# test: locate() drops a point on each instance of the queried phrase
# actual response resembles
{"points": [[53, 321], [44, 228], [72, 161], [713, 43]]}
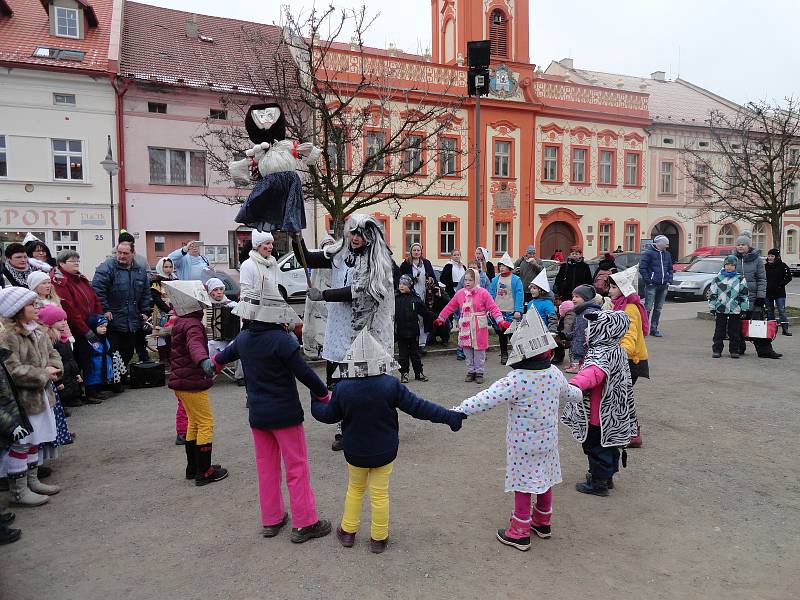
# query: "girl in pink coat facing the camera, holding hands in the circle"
{"points": [[475, 304]]}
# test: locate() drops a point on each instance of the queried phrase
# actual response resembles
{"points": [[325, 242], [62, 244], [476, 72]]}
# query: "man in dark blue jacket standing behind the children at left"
{"points": [[123, 289]]}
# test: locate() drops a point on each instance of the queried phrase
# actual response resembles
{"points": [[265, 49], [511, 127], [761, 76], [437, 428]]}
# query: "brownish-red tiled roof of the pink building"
{"points": [[158, 45]]}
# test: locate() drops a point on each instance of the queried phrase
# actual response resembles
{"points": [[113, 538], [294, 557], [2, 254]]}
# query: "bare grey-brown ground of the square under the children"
{"points": [[708, 508]]}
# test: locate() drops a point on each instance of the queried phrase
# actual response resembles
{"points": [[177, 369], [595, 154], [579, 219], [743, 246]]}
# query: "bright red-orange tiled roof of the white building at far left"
{"points": [[29, 27]]}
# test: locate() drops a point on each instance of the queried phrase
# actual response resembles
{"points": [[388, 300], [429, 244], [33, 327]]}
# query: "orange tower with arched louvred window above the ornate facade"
{"points": [[456, 22]]}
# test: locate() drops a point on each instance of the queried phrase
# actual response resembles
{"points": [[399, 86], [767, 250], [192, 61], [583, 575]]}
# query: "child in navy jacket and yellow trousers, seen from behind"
{"points": [[366, 402]]}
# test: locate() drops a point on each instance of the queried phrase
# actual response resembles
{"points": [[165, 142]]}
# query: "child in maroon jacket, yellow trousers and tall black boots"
{"points": [[191, 376]]}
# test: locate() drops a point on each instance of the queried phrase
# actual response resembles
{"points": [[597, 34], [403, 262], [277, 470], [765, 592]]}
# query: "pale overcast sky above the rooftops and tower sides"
{"points": [[739, 49]]}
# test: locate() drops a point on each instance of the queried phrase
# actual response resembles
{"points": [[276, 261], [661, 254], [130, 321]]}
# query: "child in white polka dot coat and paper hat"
{"points": [[532, 391]]}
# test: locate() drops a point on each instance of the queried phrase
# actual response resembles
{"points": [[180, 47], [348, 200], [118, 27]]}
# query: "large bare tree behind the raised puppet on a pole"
{"points": [[388, 127]]}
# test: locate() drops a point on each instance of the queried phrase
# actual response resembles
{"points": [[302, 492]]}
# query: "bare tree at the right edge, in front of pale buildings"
{"points": [[751, 170]]}
